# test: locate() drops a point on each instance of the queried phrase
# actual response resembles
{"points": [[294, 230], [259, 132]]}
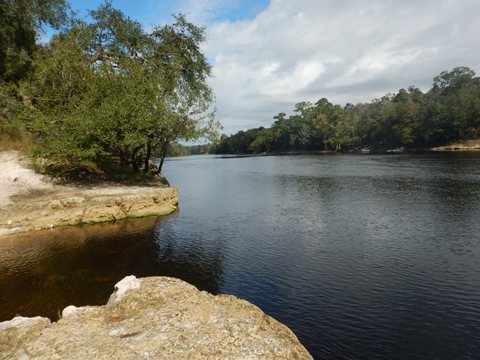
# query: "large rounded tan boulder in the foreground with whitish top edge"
{"points": [[153, 318]]}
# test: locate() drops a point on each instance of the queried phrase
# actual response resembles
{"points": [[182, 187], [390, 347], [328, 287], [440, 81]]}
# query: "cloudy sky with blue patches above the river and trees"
{"points": [[269, 55]]}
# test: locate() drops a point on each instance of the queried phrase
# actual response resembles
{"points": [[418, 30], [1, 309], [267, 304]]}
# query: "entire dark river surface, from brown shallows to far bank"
{"points": [[362, 256]]}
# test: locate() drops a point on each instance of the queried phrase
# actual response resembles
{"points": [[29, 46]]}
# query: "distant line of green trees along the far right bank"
{"points": [[448, 112]]}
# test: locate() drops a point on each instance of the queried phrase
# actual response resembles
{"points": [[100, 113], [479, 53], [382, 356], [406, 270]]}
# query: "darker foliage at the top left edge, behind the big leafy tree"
{"points": [[21, 22]]}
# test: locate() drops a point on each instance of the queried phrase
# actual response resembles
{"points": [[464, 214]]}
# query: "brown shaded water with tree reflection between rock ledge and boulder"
{"points": [[43, 272]]}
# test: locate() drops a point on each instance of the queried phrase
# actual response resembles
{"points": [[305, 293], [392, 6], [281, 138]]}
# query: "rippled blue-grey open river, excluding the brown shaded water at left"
{"points": [[362, 256]]}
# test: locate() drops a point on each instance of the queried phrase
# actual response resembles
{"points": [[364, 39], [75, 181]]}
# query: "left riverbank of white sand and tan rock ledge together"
{"points": [[30, 201]]}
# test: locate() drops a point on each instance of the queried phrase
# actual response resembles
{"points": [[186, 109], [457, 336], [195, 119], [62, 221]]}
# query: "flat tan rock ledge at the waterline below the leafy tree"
{"points": [[86, 206]]}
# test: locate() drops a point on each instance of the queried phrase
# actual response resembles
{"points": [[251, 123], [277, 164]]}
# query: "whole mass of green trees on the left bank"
{"points": [[103, 90]]}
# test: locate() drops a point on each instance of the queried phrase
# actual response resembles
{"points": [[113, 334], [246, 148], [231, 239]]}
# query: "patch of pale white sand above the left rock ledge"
{"points": [[16, 178]]}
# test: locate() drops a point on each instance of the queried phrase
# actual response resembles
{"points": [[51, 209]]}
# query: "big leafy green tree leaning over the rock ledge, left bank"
{"points": [[108, 91]]}
